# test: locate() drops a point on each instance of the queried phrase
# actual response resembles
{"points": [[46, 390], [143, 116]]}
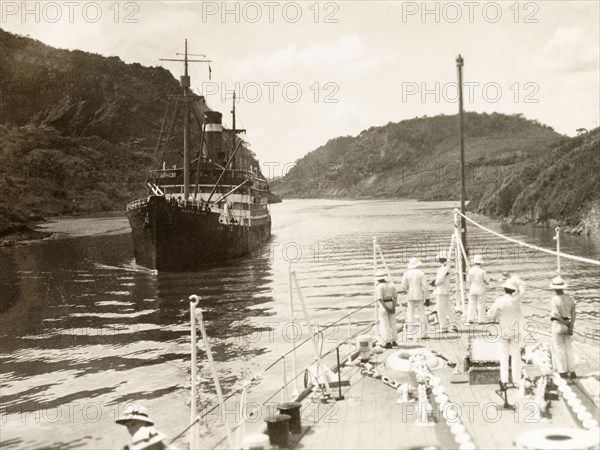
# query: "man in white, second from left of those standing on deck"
{"points": [[415, 284]]}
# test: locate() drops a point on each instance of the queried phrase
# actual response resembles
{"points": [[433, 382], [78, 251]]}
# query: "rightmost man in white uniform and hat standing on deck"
{"points": [[562, 315]]}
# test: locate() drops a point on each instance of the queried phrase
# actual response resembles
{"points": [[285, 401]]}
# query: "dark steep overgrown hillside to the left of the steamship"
{"points": [[77, 130]]}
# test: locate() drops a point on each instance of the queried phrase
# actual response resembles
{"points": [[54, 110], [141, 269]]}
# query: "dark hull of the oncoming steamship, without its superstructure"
{"points": [[170, 237]]}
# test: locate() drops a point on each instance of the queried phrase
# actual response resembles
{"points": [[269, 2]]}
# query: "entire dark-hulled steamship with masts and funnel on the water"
{"points": [[210, 208]]}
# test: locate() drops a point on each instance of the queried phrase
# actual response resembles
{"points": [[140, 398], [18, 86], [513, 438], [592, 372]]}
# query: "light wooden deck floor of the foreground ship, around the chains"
{"points": [[370, 417]]}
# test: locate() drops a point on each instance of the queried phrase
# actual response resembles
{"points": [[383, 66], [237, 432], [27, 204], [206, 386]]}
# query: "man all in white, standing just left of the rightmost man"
{"points": [[507, 311]]}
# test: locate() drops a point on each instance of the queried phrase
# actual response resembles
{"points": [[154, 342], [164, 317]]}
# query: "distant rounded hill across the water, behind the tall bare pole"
{"points": [[419, 158]]}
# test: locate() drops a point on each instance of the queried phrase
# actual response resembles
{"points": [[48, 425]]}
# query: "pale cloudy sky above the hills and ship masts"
{"points": [[307, 72]]}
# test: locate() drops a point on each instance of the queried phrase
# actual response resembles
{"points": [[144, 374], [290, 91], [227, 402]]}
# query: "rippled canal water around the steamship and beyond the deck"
{"points": [[84, 331]]}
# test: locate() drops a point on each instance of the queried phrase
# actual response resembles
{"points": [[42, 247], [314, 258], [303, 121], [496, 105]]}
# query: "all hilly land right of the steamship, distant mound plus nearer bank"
{"points": [[515, 168]]}
